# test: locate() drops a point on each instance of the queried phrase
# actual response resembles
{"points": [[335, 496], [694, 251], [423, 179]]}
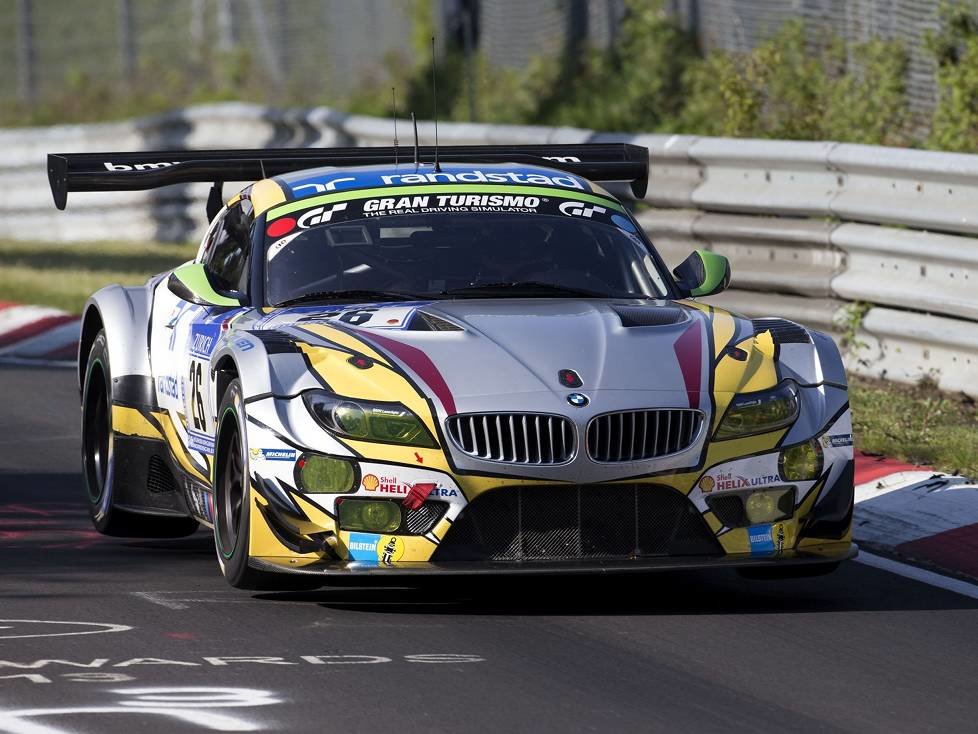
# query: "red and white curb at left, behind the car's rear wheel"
{"points": [[37, 334]]}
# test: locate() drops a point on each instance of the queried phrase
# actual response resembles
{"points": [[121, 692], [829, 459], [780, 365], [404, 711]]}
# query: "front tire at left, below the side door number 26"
{"points": [[232, 505]]}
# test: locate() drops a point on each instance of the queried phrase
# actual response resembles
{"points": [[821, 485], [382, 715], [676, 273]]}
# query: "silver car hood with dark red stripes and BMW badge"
{"points": [[487, 354]]}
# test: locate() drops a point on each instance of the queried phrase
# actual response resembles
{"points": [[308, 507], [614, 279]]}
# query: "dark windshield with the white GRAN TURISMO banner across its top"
{"points": [[382, 249]]}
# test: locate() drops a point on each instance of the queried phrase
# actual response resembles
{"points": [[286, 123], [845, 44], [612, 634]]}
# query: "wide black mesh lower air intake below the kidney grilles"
{"points": [[577, 522]]}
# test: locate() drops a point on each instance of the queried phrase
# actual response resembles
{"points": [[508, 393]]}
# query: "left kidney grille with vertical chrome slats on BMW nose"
{"points": [[516, 438]]}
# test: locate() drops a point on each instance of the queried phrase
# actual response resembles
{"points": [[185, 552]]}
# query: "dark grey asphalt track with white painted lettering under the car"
{"points": [[170, 647]]}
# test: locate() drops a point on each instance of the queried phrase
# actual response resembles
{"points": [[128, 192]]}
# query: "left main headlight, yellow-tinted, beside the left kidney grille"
{"points": [[368, 421]]}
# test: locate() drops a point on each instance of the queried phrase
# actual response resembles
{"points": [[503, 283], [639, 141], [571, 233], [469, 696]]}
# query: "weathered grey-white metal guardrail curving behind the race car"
{"points": [[811, 228]]}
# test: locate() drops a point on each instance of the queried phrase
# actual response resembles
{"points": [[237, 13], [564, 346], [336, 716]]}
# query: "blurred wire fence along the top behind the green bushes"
{"points": [[318, 51]]}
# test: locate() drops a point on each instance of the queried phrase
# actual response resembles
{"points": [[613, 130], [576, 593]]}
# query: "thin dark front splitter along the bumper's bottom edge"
{"points": [[828, 553]]}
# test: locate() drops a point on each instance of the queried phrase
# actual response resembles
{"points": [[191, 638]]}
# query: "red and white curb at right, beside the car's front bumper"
{"points": [[916, 514]]}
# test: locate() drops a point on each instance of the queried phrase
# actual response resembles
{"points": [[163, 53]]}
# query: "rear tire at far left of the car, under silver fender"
{"points": [[99, 456]]}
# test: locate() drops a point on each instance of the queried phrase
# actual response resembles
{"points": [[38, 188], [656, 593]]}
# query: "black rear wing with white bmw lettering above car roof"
{"points": [[605, 162]]}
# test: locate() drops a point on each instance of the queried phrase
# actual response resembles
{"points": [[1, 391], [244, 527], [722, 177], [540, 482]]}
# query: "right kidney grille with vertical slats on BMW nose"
{"points": [[637, 435]]}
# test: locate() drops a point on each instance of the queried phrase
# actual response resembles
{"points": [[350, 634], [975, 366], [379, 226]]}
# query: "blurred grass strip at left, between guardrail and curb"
{"points": [[64, 276]]}
